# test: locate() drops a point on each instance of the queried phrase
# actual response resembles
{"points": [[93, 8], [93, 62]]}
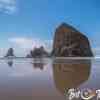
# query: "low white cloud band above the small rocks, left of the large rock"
{"points": [[29, 43]]}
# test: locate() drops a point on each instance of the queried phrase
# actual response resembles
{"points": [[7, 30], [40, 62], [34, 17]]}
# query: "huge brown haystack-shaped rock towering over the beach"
{"points": [[68, 42]]}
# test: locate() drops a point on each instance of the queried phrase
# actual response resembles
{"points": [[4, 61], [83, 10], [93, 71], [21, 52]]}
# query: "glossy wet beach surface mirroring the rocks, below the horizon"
{"points": [[46, 79]]}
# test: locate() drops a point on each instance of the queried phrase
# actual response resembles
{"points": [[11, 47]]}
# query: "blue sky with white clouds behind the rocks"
{"points": [[25, 24]]}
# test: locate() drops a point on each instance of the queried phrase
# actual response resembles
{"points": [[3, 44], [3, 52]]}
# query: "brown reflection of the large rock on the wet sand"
{"points": [[70, 75]]}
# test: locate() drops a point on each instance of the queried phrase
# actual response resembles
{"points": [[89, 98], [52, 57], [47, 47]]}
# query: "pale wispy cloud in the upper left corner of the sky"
{"points": [[8, 6]]}
